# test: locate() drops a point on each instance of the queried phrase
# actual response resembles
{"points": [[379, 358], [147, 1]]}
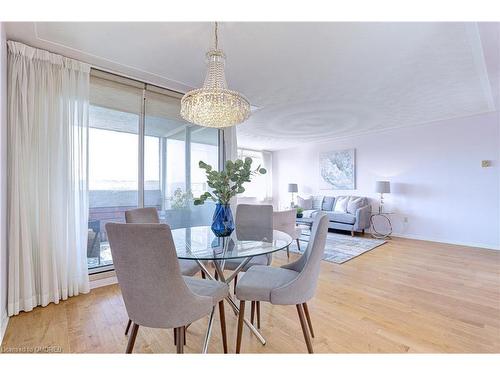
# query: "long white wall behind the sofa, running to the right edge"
{"points": [[435, 171]]}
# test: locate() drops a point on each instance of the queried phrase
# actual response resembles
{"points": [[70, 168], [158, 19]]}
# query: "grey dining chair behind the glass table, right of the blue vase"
{"points": [[254, 221]]}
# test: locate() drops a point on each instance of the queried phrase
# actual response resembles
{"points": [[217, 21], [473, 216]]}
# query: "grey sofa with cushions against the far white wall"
{"points": [[356, 219]]}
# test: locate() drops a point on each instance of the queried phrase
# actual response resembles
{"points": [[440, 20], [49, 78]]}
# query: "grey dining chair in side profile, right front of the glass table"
{"points": [[292, 284]]}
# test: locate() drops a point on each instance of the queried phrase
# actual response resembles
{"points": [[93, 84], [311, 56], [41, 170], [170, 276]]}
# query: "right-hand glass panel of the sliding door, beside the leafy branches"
{"points": [[172, 151]]}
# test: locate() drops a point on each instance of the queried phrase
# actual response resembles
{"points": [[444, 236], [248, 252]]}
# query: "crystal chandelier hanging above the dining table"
{"points": [[215, 106]]}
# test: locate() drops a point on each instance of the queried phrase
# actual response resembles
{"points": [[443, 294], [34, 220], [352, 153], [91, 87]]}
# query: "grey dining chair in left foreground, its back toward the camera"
{"points": [[155, 293]]}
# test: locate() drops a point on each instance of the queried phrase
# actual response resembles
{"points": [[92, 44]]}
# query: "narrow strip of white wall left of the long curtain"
{"points": [[3, 181]]}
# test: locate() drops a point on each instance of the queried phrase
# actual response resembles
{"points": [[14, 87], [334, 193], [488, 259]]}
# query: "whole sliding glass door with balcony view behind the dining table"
{"points": [[142, 154]]}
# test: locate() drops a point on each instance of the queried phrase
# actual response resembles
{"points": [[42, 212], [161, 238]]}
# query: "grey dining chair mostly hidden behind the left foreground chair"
{"points": [[149, 215]]}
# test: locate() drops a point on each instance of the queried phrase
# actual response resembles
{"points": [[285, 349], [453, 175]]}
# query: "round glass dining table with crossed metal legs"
{"points": [[202, 246]]}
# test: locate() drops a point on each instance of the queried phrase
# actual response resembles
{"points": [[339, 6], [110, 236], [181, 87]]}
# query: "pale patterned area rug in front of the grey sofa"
{"points": [[341, 248]]}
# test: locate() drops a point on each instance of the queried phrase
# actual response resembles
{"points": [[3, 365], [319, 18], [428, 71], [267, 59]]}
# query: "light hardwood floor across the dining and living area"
{"points": [[405, 296]]}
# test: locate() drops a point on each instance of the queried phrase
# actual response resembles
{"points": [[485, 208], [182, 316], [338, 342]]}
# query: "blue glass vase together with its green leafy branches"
{"points": [[225, 185]]}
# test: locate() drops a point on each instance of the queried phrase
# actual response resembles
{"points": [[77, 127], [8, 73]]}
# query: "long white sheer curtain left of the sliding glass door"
{"points": [[47, 177]]}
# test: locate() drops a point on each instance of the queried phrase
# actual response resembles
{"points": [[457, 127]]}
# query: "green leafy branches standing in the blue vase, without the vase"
{"points": [[229, 182]]}
